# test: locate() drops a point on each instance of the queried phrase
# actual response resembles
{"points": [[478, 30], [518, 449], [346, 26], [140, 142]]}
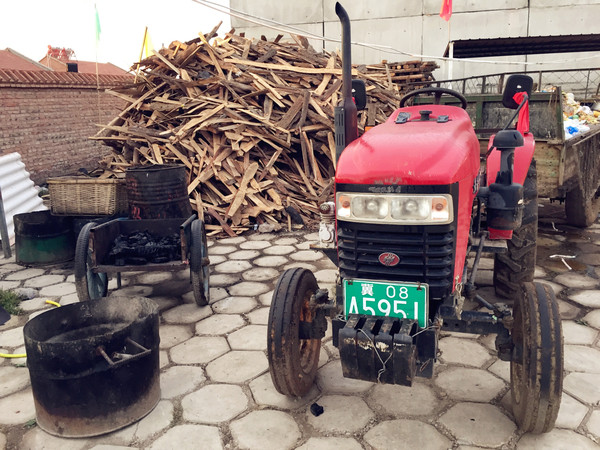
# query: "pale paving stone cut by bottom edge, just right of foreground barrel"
{"points": [[189, 436]]}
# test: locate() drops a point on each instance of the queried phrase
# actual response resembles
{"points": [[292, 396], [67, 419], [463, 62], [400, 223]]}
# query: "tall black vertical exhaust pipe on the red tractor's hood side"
{"points": [[346, 120]]}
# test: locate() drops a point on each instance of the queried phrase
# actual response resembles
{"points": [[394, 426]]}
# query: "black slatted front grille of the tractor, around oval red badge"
{"points": [[426, 254]]}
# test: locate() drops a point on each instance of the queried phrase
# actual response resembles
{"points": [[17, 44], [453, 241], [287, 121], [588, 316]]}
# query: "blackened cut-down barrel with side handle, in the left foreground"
{"points": [[94, 366]]}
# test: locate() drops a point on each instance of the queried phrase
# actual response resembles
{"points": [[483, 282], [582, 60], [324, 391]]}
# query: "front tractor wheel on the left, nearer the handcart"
{"points": [[292, 361]]}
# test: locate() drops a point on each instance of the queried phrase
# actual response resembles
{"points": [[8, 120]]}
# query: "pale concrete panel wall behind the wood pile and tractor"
{"points": [[415, 27]]}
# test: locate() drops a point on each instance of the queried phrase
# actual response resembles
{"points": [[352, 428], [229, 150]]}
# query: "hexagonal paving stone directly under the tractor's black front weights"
{"points": [[418, 399]]}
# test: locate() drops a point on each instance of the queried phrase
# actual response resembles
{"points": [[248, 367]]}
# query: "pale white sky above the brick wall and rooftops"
{"points": [[29, 26]]}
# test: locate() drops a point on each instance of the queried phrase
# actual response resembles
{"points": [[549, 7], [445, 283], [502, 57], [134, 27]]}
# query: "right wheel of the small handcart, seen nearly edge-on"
{"points": [[199, 272]]}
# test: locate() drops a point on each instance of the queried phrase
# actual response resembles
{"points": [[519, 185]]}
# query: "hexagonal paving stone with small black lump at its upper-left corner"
{"points": [[335, 417]]}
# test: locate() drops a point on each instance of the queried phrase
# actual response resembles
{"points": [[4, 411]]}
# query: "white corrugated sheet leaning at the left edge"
{"points": [[18, 192]]}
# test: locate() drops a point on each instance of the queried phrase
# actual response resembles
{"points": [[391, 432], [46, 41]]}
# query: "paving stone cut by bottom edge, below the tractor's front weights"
{"points": [[397, 434]]}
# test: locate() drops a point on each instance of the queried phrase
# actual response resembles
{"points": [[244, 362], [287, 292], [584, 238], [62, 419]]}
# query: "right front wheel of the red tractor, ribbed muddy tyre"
{"points": [[536, 368]]}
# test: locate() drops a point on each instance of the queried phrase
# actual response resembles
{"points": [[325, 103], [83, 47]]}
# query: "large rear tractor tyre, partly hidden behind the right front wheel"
{"points": [[517, 265]]}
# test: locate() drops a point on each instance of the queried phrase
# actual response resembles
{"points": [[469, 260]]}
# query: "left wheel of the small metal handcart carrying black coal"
{"points": [[89, 285]]}
